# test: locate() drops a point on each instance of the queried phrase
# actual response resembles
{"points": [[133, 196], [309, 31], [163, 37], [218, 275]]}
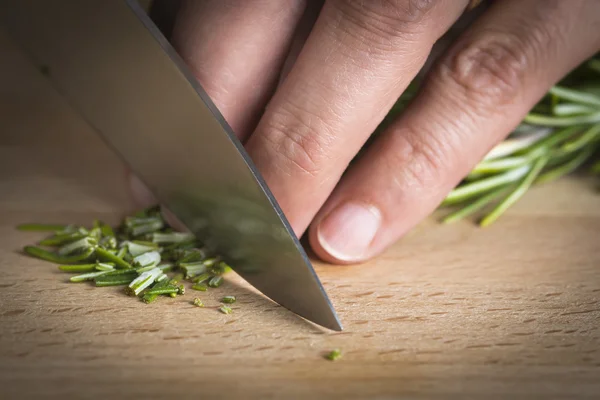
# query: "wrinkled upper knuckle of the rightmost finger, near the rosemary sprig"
{"points": [[490, 70]]}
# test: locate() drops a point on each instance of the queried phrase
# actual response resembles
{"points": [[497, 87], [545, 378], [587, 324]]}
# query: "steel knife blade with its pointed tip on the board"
{"points": [[114, 67]]}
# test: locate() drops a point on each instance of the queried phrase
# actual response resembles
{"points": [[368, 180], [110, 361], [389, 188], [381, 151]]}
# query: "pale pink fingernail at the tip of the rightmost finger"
{"points": [[347, 232]]}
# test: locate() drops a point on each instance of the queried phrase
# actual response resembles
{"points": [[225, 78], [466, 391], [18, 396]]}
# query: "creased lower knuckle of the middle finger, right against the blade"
{"points": [[298, 139]]}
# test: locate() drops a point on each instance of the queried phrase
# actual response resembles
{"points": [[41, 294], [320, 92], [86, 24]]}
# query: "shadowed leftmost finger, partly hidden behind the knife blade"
{"points": [[236, 50]]}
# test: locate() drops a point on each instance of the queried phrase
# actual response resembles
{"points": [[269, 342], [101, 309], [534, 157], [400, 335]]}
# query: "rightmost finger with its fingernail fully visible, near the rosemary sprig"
{"points": [[479, 92]]}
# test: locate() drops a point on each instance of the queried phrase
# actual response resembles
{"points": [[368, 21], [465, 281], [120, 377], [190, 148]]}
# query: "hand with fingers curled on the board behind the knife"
{"points": [[304, 96]]}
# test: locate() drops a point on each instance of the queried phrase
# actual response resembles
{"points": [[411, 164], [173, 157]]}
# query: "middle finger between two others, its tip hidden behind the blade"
{"points": [[357, 60]]}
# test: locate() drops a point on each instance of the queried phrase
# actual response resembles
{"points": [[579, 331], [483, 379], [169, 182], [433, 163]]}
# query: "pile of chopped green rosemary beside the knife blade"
{"points": [[143, 254]]}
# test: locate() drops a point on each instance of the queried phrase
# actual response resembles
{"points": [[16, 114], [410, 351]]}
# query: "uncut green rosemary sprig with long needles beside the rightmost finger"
{"points": [[560, 135]]}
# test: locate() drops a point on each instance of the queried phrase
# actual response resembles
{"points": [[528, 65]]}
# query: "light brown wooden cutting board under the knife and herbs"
{"points": [[511, 311]]}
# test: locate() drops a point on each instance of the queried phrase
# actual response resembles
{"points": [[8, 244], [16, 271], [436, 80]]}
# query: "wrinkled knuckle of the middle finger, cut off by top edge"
{"points": [[385, 20]]}
